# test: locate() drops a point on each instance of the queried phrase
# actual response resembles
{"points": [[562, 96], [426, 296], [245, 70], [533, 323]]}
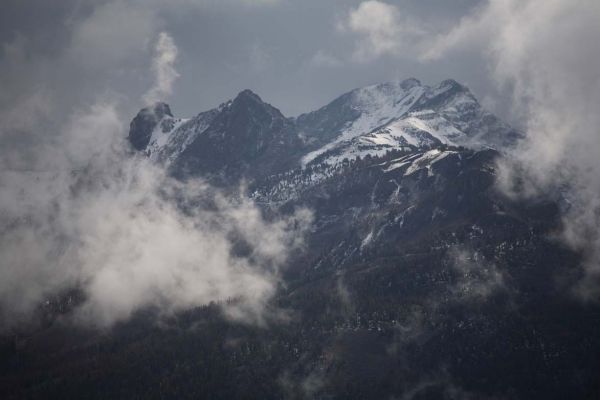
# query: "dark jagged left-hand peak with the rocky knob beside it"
{"points": [[240, 136]]}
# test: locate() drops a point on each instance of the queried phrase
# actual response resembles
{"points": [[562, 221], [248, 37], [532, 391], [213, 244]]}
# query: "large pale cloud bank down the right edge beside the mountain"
{"points": [[548, 55]]}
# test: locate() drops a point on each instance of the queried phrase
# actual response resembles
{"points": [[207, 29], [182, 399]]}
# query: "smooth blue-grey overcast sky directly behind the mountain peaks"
{"points": [[295, 54]]}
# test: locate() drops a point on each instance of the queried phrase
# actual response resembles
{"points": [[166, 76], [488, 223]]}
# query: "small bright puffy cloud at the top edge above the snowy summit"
{"points": [[381, 30]]}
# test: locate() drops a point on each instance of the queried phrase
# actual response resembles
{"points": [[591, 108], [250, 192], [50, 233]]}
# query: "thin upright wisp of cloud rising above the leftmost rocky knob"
{"points": [[163, 66]]}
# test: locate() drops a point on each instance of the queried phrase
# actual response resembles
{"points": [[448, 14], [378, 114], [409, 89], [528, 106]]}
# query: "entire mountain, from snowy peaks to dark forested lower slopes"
{"points": [[419, 279]]}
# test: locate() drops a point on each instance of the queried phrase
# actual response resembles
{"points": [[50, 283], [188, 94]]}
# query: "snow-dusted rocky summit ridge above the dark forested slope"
{"points": [[370, 121]]}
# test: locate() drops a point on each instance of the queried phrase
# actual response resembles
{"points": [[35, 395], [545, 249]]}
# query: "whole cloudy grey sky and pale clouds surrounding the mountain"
{"points": [[73, 73]]}
